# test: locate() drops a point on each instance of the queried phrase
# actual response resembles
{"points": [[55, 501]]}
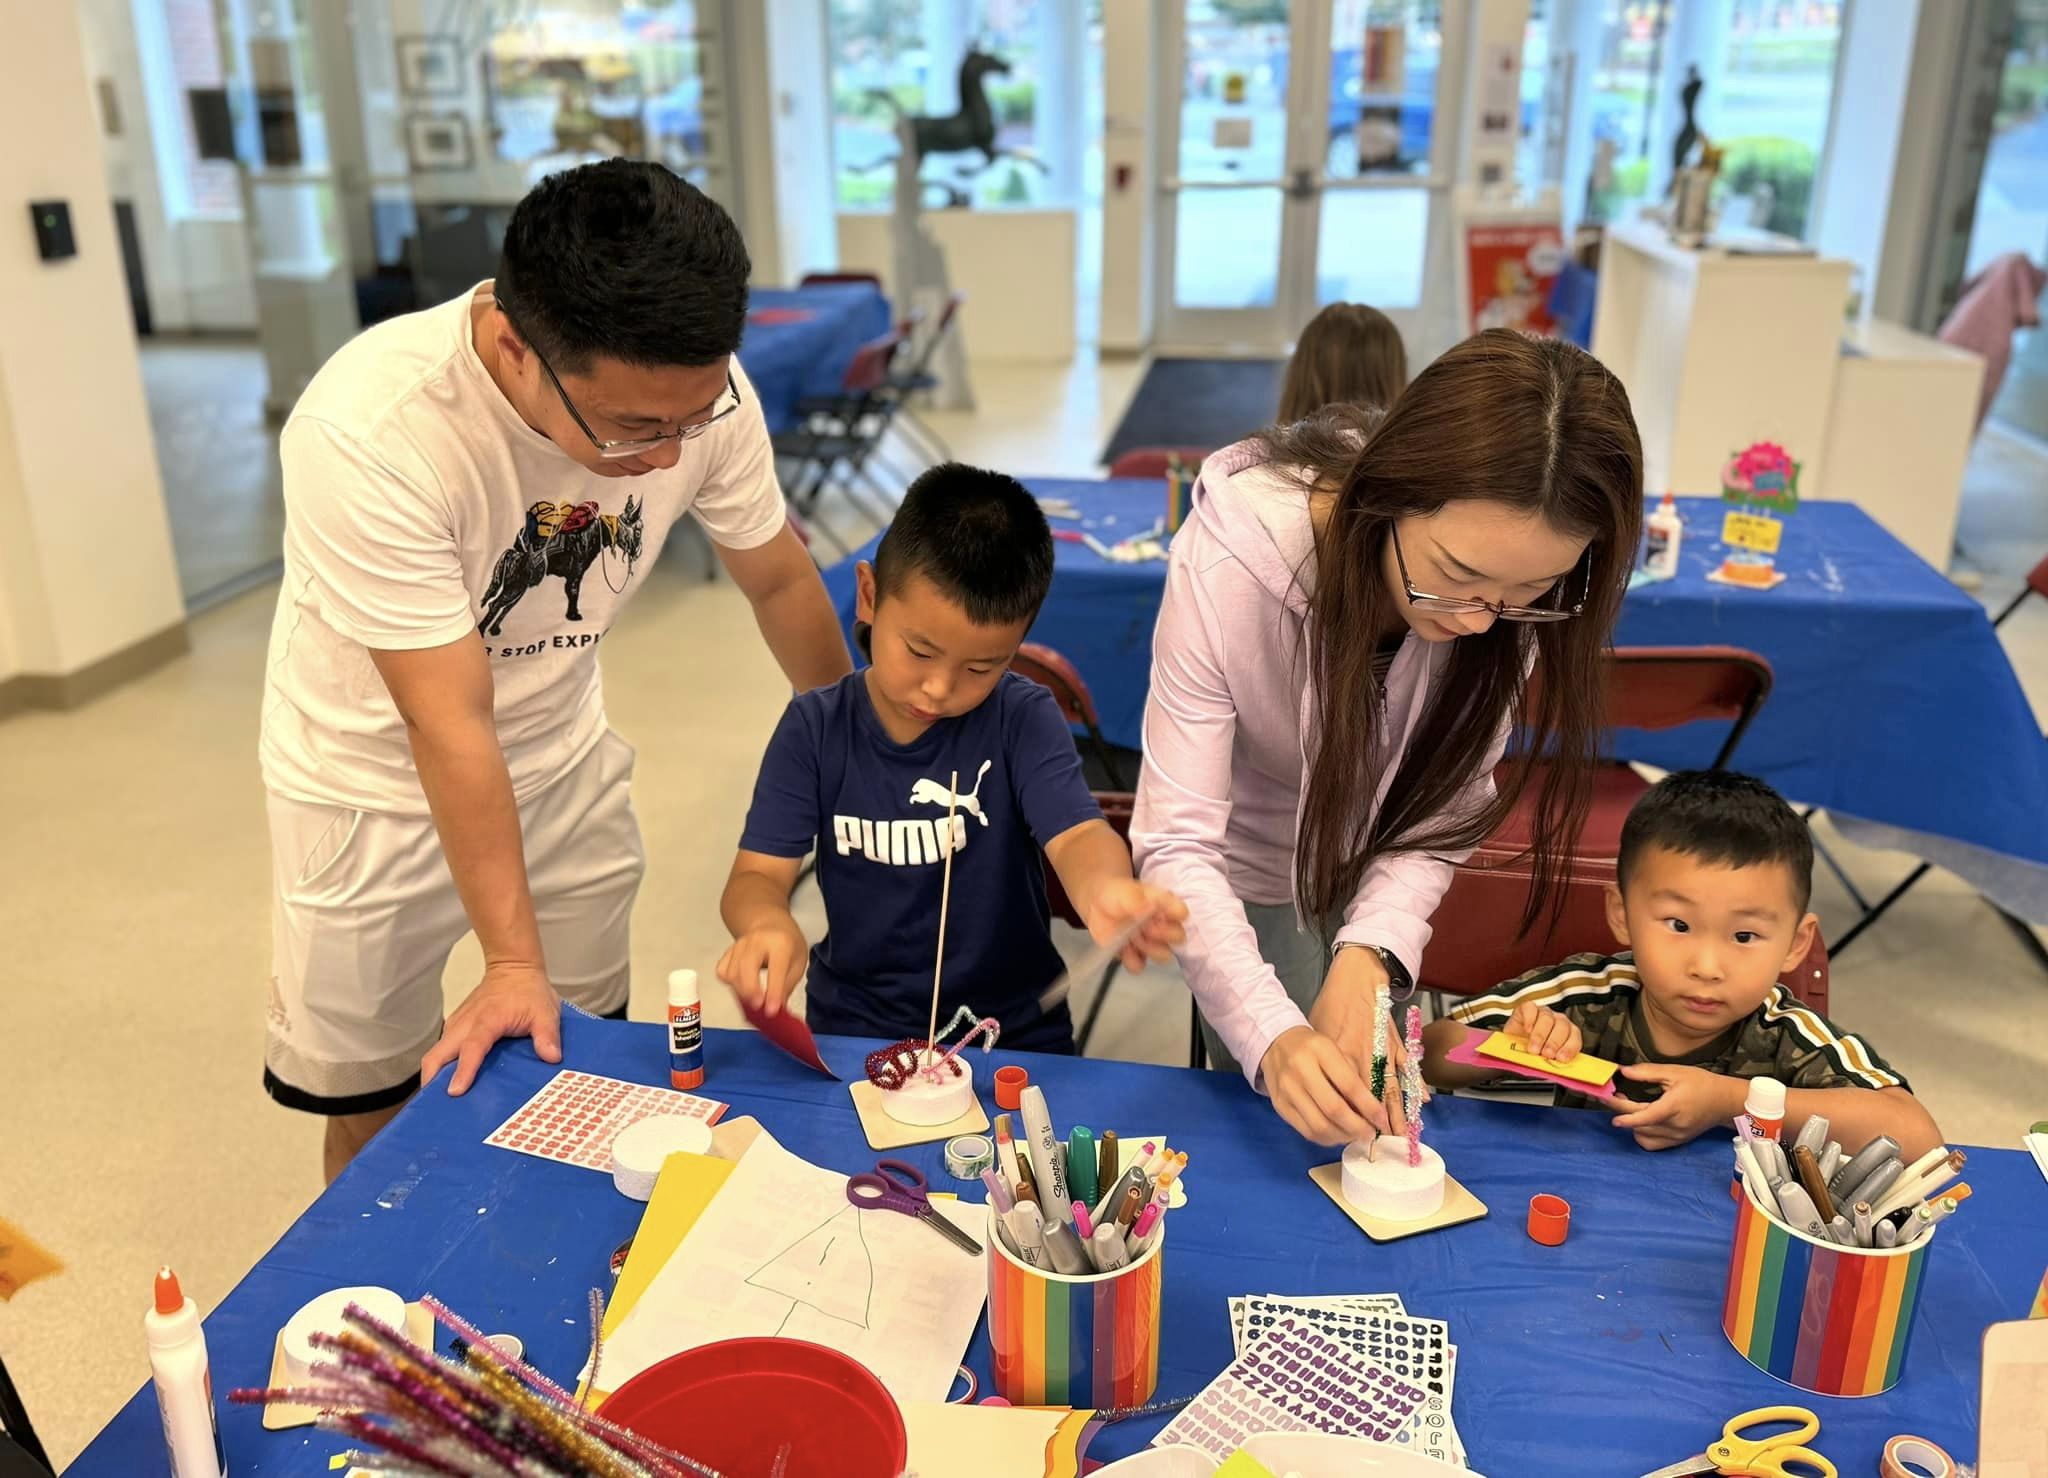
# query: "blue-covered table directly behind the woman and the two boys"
{"points": [[1895, 707]]}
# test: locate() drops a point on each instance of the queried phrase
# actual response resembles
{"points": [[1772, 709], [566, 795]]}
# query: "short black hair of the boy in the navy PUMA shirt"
{"points": [[980, 537]]}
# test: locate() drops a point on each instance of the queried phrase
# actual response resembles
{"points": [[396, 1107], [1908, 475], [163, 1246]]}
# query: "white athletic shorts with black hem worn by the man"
{"points": [[366, 916]]}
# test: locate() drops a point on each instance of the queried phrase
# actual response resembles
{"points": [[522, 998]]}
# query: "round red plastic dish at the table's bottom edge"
{"points": [[740, 1403]]}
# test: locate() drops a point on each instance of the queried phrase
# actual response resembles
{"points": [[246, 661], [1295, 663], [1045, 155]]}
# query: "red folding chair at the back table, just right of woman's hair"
{"points": [[1652, 689]]}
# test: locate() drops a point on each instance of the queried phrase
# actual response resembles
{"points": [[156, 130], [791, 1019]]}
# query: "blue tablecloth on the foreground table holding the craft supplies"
{"points": [[1627, 1309]]}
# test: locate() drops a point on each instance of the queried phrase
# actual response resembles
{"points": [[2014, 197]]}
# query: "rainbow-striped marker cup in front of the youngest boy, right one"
{"points": [[1824, 1317]]}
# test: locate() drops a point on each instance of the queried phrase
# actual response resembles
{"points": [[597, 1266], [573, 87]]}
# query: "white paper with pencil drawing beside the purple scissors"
{"points": [[781, 1252]]}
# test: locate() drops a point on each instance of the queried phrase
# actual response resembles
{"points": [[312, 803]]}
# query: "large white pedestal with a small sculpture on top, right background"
{"points": [[1719, 351]]}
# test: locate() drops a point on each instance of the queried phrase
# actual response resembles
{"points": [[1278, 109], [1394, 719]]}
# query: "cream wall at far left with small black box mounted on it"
{"points": [[85, 564]]}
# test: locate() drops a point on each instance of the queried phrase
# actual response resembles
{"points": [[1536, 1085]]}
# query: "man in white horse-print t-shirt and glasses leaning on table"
{"points": [[472, 496]]}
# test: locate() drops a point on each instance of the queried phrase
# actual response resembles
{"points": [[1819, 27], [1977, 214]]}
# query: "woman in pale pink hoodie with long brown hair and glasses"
{"points": [[1351, 615]]}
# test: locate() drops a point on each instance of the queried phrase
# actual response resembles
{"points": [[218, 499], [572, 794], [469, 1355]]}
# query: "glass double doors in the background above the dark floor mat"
{"points": [[1310, 148]]}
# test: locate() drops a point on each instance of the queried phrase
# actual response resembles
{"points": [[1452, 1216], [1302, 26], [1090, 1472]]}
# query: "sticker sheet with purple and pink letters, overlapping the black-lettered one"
{"points": [[1295, 1381]]}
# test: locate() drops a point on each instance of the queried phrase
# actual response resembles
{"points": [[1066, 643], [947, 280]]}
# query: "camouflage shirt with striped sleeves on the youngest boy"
{"points": [[1603, 996]]}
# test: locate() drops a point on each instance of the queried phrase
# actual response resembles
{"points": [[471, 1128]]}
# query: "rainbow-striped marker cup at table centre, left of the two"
{"points": [[1074, 1340]]}
